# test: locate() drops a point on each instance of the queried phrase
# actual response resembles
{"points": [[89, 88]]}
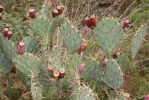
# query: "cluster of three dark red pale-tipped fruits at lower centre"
{"points": [[57, 74]]}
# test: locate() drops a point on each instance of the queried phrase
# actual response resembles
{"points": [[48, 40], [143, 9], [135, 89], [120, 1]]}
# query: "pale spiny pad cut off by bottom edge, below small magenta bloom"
{"points": [[83, 93]]}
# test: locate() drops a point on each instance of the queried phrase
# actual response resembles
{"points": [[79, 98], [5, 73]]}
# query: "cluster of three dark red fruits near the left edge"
{"points": [[6, 31]]}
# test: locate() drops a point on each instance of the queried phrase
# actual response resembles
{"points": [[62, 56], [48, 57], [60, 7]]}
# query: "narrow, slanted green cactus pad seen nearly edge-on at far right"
{"points": [[138, 39]]}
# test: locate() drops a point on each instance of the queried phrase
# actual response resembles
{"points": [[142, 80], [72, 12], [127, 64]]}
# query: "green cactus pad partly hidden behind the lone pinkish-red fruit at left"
{"points": [[32, 44]]}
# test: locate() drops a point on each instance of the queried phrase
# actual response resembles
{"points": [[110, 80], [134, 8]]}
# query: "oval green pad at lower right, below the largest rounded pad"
{"points": [[113, 75]]}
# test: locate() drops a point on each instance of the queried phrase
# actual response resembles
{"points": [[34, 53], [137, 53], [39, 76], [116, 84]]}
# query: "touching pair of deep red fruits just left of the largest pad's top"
{"points": [[90, 21]]}
